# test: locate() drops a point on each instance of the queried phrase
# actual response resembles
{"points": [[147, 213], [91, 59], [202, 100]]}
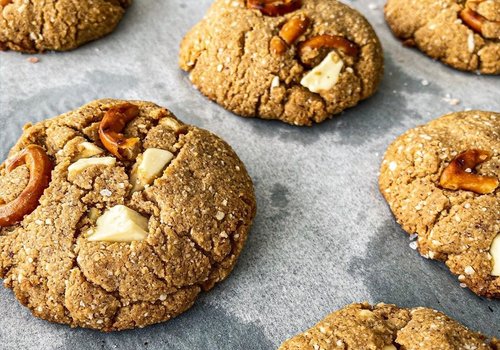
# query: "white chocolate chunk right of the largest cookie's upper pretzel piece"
{"points": [[149, 166]]}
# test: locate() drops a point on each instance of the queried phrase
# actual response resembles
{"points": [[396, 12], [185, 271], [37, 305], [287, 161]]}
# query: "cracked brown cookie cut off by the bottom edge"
{"points": [[387, 327]]}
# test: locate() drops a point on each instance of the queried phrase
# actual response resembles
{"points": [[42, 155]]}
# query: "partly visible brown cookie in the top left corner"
{"points": [[61, 25]]}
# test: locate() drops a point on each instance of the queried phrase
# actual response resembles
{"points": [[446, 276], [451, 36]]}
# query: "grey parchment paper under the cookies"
{"points": [[323, 236]]}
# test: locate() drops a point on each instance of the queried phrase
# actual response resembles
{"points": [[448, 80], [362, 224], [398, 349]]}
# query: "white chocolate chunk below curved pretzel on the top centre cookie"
{"points": [[325, 75]]}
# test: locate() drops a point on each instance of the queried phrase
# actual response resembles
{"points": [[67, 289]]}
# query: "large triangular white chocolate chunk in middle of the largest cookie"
{"points": [[120, 224]]}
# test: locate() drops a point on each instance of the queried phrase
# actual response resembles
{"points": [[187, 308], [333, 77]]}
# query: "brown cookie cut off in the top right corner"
{"points": [[464, 34]]}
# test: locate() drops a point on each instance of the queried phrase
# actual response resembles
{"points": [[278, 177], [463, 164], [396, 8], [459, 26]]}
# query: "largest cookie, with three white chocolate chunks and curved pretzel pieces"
{"points": [[117, 215]]}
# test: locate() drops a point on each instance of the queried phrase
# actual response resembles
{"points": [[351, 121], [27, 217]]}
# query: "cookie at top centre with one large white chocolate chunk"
{"points": [[299, 61]]}
